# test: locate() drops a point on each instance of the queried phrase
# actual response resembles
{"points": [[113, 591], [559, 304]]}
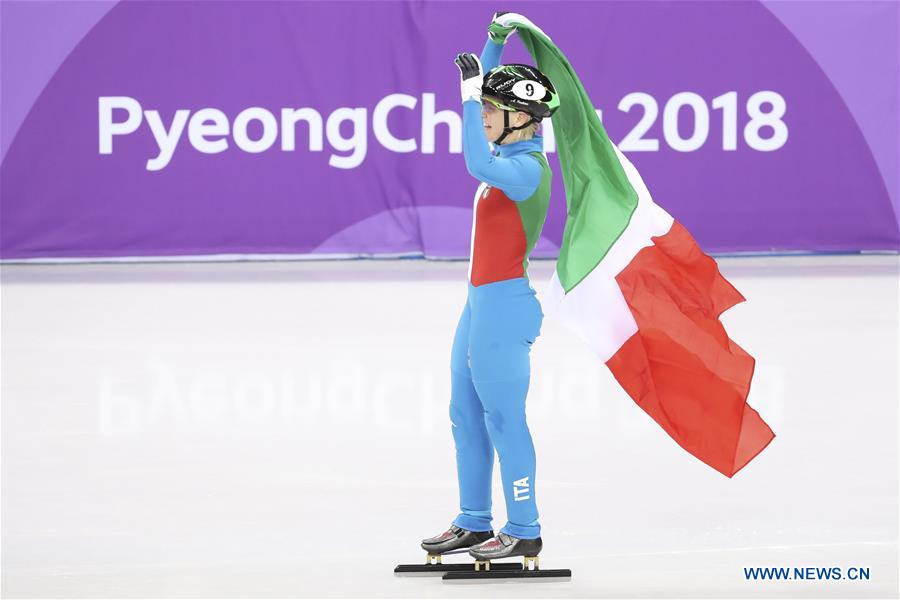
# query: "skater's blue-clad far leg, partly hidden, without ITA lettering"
{"points": [[474, 453]]}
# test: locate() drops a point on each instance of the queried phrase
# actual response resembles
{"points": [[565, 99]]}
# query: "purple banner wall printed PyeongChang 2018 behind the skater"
{"points": [[137, 129]]}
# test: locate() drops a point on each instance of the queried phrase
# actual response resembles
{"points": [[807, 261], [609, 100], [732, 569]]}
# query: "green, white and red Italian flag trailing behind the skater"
{"points": [[634, 284]]}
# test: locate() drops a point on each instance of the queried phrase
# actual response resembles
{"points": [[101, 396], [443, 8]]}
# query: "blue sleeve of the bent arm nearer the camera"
{"points": [[518, 176]]}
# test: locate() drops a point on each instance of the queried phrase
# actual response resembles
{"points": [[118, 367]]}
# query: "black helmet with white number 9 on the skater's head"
{"points": [[522, 87]]}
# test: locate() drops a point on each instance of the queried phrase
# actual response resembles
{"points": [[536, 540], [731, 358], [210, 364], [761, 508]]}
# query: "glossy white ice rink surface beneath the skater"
{"points": [[281, 430]]}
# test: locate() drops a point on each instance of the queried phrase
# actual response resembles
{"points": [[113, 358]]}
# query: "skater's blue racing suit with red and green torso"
{"points": [[490, 358]]}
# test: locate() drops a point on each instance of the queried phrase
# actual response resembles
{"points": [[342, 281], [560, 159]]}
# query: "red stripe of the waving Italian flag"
{"points": [[681, 367]]}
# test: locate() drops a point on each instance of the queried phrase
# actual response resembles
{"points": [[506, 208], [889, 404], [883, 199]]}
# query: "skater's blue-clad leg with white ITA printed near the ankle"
{"points": [[506, 321]]}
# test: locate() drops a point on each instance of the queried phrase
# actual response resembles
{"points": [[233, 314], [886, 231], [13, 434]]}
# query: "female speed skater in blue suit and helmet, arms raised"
{"points": [[489, 364]]}
